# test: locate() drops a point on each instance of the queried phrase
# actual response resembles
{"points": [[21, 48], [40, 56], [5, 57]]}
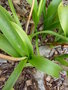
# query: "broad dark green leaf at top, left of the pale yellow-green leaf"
{"points": [[51, 20]]}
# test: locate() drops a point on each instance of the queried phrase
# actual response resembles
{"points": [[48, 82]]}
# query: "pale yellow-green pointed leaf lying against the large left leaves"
{"points": [[24, 38]]}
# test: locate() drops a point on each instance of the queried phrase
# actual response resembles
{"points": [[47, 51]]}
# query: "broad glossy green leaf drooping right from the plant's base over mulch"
{"points": [[45, 65]]}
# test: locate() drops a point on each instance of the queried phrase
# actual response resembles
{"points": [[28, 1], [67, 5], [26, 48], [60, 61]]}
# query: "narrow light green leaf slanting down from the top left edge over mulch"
{"points": [[13, 12]]}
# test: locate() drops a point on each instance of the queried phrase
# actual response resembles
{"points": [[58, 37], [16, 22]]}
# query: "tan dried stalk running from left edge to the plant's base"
{"points": [[9, 58]]}
